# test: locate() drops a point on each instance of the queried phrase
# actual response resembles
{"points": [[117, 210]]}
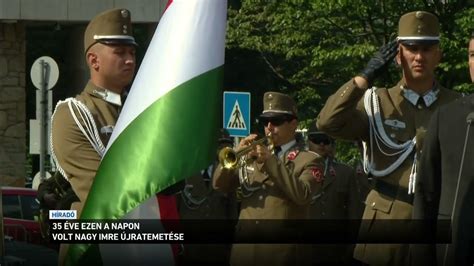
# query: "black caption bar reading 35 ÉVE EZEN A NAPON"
{"points": [[249, 231]]}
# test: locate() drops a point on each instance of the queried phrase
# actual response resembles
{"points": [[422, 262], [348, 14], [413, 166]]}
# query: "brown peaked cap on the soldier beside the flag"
{"points": [[109, 27]]}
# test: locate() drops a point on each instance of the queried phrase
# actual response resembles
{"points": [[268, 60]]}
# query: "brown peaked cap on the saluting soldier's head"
{"points": [[418, 27]]}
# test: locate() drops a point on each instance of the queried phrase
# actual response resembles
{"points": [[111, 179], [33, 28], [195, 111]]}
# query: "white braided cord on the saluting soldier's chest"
{"points": [[378, 135]]}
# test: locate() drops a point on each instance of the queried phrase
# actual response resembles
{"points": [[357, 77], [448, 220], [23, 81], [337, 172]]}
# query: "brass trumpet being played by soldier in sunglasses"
{"points": [[229, 158]]}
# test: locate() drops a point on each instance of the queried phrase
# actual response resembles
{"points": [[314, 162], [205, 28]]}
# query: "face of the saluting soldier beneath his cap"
{"points": [[419, 61]]}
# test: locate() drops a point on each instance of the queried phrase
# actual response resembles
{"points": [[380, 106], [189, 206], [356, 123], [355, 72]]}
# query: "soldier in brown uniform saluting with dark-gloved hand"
{"points": [[392, 123]]}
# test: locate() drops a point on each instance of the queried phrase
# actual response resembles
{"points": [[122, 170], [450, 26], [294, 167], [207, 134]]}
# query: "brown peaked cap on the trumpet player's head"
{"points": [[278, 104]]}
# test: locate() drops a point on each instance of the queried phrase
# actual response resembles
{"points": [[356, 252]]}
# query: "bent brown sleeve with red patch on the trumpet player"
{"points": [[298, 183]]}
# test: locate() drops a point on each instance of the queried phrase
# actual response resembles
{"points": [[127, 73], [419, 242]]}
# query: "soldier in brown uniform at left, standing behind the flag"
{"points": [[81, 126]]}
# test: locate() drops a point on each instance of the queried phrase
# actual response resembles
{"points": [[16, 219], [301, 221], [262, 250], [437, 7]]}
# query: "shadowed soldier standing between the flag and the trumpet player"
{"points": [[199, 201]]}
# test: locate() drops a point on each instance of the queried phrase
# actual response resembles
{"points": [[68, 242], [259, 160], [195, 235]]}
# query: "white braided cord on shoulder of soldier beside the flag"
{"points": [[89, 130]]}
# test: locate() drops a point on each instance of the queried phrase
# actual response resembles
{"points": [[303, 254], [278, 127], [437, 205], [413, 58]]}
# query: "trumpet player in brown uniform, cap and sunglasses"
{"points": [[278, 184]]}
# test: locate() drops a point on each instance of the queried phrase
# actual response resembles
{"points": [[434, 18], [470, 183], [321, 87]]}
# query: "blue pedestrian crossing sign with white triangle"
{"points": [[237, 113]]}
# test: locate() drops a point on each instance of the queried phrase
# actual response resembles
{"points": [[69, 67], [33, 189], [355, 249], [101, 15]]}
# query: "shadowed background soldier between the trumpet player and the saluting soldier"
{"points": [[338, 200]]}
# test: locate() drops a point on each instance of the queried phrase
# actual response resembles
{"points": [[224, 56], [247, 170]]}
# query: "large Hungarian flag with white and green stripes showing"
{"points": [[167, 128]]}
